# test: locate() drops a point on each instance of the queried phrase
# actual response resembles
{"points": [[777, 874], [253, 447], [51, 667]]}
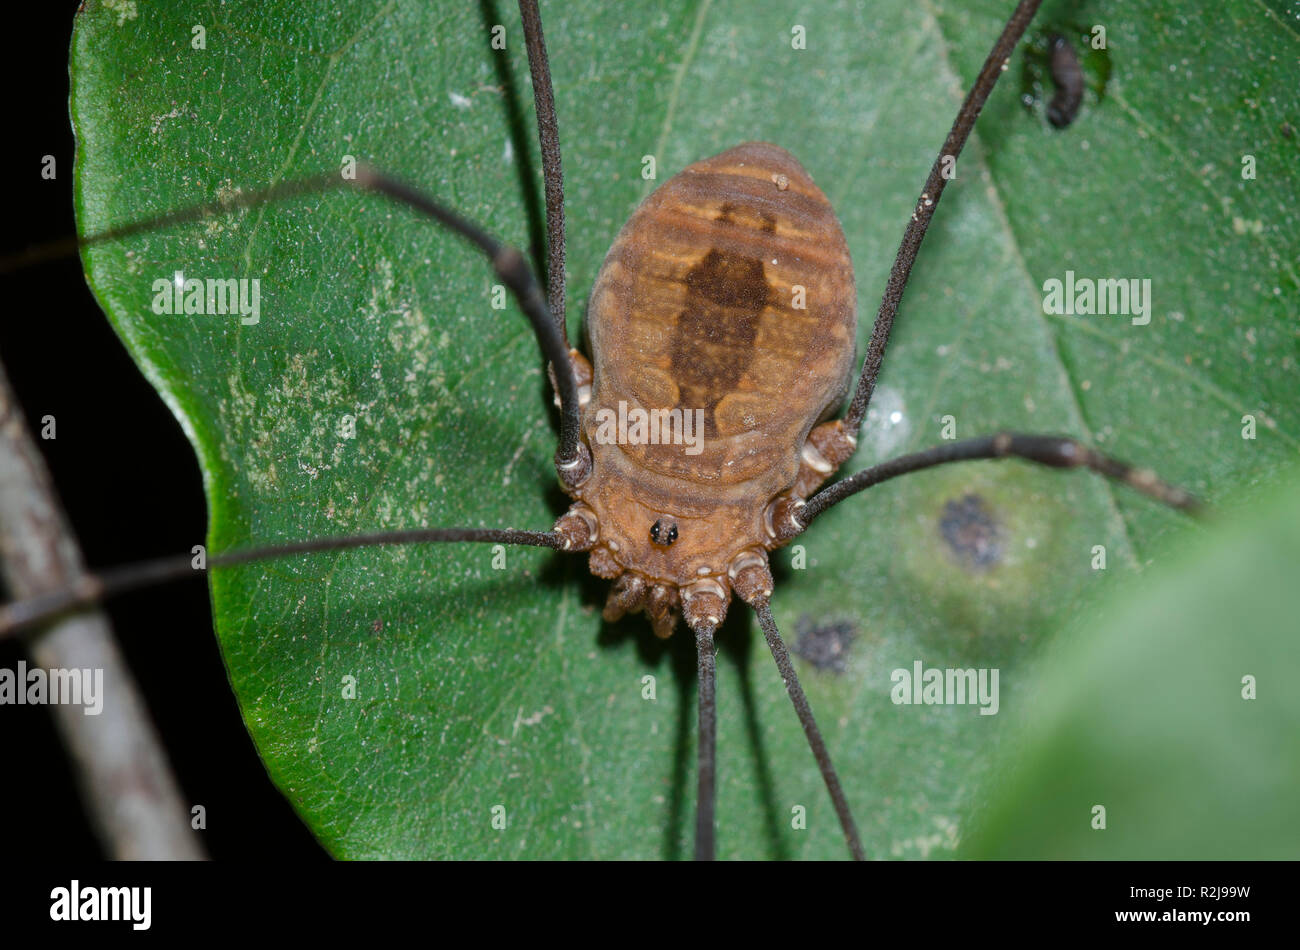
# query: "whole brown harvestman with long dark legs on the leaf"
{"points": [[687, 281]]}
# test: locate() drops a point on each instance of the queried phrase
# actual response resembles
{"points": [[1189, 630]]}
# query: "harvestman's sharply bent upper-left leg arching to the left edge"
{"points": [[509, 264]]}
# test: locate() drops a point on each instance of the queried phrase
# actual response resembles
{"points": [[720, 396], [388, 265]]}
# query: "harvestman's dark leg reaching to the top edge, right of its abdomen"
{"points": [[926, 205]]}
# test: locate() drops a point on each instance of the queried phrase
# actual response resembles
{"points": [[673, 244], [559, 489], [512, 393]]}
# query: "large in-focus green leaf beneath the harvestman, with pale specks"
{"points": [[476, 687]]}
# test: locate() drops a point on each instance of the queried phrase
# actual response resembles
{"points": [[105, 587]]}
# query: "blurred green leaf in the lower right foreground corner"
{"points": [[1173, 710]]}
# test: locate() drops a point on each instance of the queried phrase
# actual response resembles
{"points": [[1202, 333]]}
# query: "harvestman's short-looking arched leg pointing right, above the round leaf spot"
{"points": [[1056, 452]]}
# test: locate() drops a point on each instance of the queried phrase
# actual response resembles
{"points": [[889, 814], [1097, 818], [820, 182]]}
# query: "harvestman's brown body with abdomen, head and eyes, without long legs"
{"points": [[731, 292]]}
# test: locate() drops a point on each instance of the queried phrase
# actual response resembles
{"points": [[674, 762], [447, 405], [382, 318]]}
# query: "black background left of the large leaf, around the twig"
{"points": [[131, 485]]}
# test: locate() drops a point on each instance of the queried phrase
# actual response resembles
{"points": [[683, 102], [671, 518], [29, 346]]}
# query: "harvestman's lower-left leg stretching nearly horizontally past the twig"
{"points": [[90, 589]]}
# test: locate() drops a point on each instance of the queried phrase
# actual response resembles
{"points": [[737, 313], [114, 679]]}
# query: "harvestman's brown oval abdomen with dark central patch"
{"points": [[699, 307]]}
